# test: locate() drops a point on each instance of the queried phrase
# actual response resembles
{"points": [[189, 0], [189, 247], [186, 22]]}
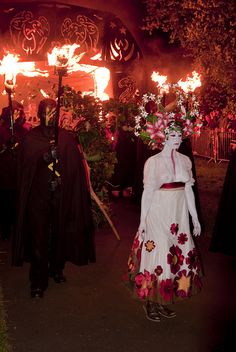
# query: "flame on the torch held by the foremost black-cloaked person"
{"points": [[63, 57]]}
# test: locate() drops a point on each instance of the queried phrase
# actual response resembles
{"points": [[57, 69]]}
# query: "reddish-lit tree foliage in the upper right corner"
{"points": [[206, 30]]}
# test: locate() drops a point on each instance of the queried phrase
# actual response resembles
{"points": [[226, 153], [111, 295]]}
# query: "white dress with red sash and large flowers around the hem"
{"points": [[164, 265]]}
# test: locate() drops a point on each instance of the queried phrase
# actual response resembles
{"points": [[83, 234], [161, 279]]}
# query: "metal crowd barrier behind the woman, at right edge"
{"points": [[214, 144]]}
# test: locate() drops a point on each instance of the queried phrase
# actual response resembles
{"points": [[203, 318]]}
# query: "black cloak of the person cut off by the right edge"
{"points": [[224, 231]]}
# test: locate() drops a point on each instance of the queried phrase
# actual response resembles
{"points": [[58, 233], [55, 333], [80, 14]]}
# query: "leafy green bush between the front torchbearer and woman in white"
{"points": [[92, 119]]}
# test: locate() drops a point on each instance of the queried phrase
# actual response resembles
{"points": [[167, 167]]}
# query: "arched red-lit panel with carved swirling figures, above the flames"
{"points": [[32, 29]]}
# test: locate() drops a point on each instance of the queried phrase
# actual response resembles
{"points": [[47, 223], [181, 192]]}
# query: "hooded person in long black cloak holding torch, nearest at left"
{"points": [[54, 217]]}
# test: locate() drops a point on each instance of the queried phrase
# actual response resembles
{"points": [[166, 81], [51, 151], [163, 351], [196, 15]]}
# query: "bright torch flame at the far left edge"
{"points": [[10, 67]]}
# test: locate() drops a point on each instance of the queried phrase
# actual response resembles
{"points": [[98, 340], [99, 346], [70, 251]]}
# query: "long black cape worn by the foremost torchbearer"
{"points": [[75, 223]]}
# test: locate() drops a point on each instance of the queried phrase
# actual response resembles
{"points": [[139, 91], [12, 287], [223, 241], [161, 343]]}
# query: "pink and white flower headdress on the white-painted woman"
{"points": [[155, 122]]}
